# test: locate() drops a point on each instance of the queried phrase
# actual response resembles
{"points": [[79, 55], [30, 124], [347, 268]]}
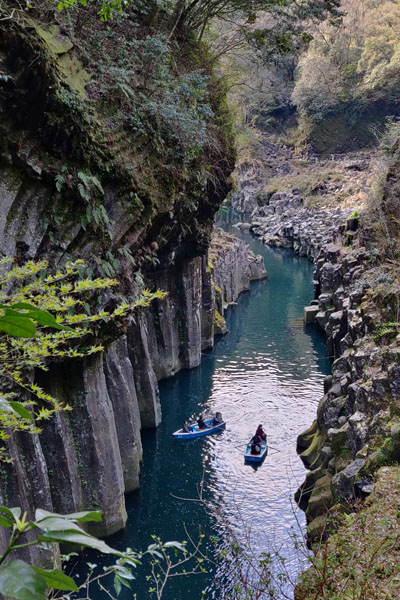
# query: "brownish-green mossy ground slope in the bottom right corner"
{"points": [[361, 560]]}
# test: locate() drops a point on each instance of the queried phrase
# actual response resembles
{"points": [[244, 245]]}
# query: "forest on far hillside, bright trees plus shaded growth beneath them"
{"points": [[341, 85]]}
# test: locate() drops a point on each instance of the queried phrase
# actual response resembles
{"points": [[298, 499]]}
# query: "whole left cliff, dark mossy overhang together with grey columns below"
{"points": [[76, 181]]}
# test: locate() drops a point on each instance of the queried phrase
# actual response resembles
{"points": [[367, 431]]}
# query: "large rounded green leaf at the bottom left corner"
{"points": [[20, 581]]}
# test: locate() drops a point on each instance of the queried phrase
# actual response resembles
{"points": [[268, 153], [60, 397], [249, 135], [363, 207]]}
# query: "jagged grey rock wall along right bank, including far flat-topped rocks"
{"points": [[356, 305]]}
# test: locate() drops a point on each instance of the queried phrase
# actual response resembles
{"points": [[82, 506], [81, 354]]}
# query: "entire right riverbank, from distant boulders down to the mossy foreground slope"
{"points": [[356, 300]]}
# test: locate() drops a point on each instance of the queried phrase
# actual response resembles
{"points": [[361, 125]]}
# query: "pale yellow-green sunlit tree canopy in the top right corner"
{"points": [[357, 60]]}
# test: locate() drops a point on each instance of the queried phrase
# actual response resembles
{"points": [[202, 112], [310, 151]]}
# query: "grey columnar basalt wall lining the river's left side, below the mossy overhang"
{"points": [[90, 456]]}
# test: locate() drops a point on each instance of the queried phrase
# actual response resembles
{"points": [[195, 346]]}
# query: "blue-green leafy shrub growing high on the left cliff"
{"points": [[168, 109]]}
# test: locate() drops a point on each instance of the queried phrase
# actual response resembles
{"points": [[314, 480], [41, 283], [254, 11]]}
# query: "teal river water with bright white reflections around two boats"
{"points": [[268, 369]]}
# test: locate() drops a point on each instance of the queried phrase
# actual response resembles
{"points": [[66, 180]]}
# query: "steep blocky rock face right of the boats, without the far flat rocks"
{"points": [[356, 429]]}
